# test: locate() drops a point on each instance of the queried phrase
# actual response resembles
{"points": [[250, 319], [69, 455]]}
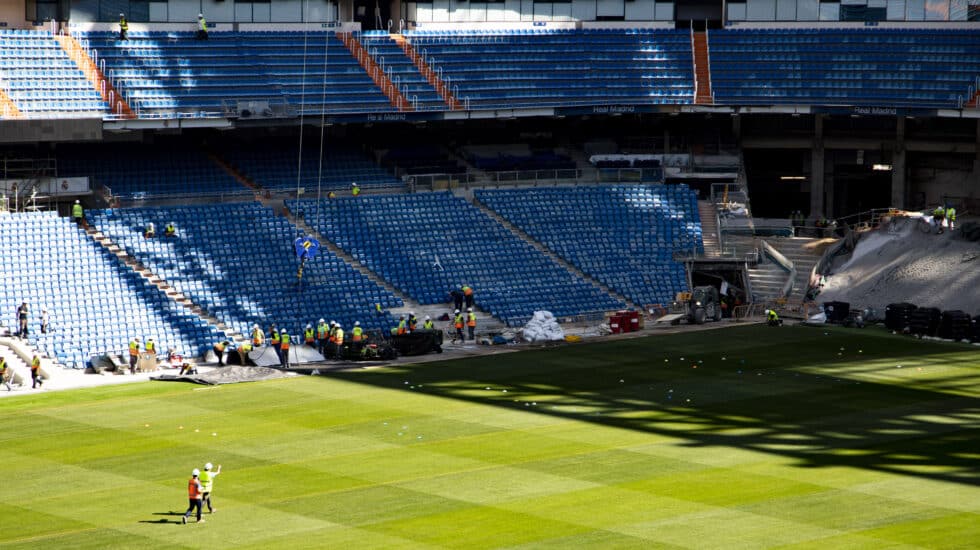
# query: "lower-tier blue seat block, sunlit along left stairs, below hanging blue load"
{"points": [[237, 261]]}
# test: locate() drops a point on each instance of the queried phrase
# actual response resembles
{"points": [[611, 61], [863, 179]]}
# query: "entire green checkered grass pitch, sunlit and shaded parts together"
{"points": [[747, 437]]}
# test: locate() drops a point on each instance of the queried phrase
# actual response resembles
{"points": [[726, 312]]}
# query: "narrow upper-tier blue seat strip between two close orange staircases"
{"points": [[401, 70]]}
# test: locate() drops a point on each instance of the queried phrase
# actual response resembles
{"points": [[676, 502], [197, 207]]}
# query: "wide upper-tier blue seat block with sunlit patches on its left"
{"points": [[171, 72]]}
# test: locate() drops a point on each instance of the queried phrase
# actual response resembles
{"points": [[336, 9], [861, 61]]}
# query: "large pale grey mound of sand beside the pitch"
{"points": [[899, 263]]}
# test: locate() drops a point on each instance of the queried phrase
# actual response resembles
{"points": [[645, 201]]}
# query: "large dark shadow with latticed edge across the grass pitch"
{"points": [[779, 391]]}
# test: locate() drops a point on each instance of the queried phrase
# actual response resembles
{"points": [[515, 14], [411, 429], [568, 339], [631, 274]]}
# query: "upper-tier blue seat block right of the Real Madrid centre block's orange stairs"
{"points": [[874, 67]]}
